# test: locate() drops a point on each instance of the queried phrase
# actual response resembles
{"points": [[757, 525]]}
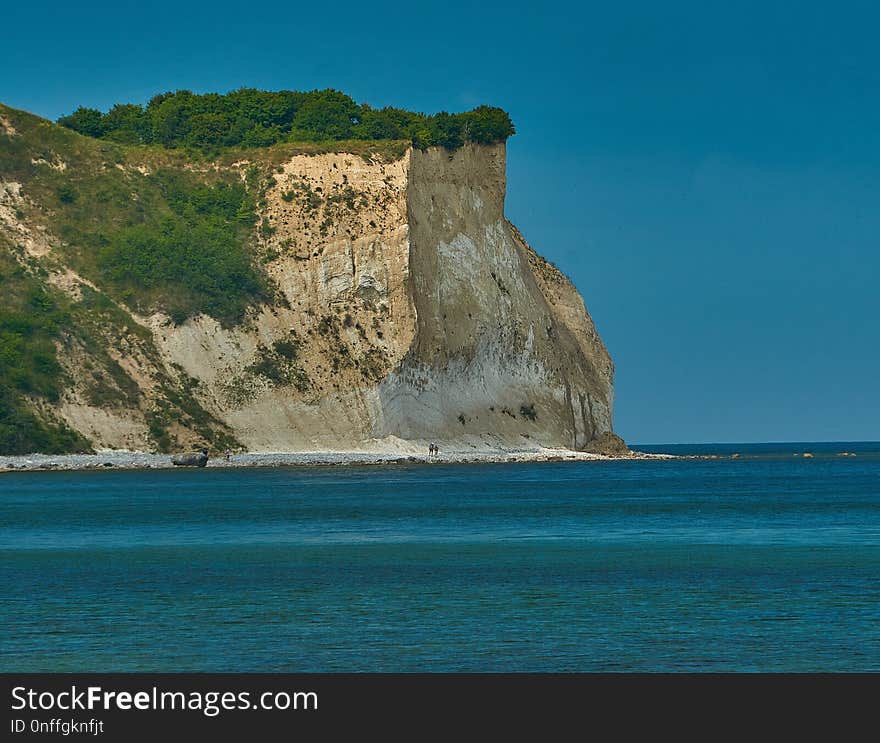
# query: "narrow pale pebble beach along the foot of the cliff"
{"points": [[133, 460]]}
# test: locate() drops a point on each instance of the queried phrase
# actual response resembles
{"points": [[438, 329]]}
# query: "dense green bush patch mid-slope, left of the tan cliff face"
{"points": [[193, 258]]}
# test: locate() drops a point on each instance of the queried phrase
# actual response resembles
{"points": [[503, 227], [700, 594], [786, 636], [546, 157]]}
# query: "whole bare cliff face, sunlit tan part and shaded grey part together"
{"points": [[418, 313]]}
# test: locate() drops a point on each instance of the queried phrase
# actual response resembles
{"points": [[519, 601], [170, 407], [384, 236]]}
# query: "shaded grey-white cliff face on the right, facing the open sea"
{"points": [[504, 351]]}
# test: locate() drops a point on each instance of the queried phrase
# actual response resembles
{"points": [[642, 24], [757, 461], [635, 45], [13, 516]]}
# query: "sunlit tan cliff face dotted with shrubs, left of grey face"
{"points": [[339, 255]]}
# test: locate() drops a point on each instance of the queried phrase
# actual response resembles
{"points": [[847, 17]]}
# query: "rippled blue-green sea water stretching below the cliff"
{"points": [[767, 562]]}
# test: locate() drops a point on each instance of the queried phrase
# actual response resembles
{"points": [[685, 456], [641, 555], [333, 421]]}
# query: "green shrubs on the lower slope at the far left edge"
{"points": [[30, 322]]}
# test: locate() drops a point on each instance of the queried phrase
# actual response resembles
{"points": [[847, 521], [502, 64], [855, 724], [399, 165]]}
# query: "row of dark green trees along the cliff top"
{"points": [[255, 118]]}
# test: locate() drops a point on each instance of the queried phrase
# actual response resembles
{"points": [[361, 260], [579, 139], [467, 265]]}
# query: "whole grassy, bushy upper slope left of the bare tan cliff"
{"points": [[154, 233]]}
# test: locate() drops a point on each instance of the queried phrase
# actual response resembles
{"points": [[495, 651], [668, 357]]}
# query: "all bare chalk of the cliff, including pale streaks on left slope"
{"points": [[406, 309]]}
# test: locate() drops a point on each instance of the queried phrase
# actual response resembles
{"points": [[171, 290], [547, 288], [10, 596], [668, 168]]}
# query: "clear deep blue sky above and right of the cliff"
{"points": [[708, 174]]}
